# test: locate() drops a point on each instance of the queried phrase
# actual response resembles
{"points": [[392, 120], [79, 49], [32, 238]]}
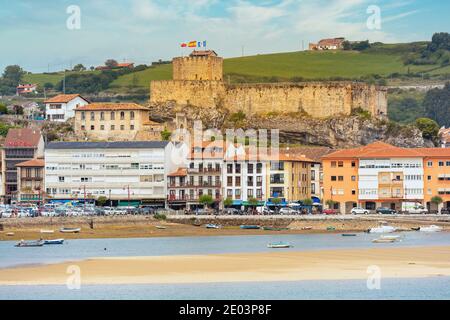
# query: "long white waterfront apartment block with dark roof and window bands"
{"points": [[121, 171]]}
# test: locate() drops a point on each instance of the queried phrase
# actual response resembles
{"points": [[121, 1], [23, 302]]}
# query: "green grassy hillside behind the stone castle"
{"points": [[382, 60]]}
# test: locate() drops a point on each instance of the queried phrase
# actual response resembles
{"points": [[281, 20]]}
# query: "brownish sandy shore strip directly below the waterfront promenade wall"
{"points": [[146, 227]]}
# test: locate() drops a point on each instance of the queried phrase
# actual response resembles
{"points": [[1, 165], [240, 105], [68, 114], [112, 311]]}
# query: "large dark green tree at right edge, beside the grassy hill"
{"points": [[437, 104]]}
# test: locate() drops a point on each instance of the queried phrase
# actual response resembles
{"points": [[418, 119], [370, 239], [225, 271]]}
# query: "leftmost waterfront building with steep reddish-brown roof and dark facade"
{"points": [[20, 145]]}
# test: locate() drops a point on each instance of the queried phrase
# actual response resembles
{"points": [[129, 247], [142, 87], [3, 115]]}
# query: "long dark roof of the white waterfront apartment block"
{"points": [[108, 145]]}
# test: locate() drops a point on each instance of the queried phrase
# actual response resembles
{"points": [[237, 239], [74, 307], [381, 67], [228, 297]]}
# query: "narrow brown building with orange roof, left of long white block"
{"points": [[30, 181]]}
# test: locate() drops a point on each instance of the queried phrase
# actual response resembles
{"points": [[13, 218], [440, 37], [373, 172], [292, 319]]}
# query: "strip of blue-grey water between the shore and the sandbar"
{"points": [[88, 248]]}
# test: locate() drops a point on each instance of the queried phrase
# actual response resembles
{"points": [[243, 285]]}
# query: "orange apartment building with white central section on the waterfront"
{"points": [[382, 175]]}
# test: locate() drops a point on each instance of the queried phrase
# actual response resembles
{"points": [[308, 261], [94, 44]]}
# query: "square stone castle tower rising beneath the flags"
{"points": [[199, 66]]}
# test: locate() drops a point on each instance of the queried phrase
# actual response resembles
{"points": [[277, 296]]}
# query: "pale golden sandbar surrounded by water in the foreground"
{"points": [[345, 264]]}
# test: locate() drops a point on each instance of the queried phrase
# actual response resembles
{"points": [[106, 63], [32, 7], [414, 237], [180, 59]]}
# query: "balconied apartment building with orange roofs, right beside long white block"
{"points": [[201, 176]]}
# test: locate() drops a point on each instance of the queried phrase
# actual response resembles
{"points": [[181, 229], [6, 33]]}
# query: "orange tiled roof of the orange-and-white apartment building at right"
{"points": [[384, 150]]}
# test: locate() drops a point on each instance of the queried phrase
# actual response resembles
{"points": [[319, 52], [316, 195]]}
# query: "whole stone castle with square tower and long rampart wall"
{"points": [[198, 80]]}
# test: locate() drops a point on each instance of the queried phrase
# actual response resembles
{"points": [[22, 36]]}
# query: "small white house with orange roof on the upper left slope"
{"points": [[62, 107]]}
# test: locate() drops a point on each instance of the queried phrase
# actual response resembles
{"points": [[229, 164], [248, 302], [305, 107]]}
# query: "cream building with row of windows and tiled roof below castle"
{"points": [[115, 122]]}
